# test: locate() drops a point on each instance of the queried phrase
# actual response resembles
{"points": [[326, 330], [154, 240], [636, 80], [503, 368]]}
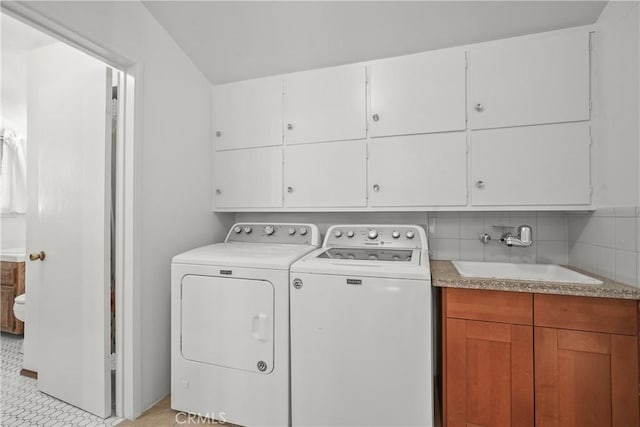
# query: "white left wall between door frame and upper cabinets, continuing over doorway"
{"points": [[176, 166]]}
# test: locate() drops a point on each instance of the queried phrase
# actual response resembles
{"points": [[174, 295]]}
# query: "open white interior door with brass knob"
{"points": [[68, 111]]}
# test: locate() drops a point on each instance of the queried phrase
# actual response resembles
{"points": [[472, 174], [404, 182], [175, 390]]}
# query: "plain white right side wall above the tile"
{"points": [[616, 131]]}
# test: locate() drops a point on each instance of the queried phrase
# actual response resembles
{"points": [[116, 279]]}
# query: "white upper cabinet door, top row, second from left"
{"points": [[326, 105]]}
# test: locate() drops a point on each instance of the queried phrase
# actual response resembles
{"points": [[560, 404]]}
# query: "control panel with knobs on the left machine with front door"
{"points": [[294, 234]]}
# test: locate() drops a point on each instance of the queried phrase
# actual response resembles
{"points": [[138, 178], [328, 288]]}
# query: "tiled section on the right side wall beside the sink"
{"points": [[606, 242]]}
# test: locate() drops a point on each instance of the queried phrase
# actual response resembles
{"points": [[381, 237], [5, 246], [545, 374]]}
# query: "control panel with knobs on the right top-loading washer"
{"points": [[396, 236]]}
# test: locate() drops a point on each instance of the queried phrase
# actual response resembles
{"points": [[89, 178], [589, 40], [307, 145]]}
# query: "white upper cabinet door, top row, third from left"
{"points": [[418, 94]]}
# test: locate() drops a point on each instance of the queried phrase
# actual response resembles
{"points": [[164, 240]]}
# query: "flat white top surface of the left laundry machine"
{"points": [[250, 255]]}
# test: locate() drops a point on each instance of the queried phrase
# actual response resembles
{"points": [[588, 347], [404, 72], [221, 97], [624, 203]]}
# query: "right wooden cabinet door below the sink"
{"points": [[585, 379]]}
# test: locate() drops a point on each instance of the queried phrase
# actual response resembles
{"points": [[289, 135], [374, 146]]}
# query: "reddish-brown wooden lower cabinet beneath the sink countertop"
{"points": [[556, 361]]}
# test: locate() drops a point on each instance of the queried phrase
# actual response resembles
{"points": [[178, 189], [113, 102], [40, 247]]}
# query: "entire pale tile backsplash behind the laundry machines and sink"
{"points": [[605, 242]]}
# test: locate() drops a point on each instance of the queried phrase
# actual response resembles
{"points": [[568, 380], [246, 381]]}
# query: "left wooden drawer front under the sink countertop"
{"points": [[493, 306]]}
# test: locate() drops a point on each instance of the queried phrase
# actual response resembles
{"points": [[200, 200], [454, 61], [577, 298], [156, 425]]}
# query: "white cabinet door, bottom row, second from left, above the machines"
{"points": [[326, 175]]}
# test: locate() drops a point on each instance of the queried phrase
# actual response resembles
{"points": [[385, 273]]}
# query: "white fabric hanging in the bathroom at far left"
{"points": [[13, 174]]}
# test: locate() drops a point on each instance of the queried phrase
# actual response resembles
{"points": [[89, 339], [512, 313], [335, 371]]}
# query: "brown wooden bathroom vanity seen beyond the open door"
{"points": [[12, 284]]}
